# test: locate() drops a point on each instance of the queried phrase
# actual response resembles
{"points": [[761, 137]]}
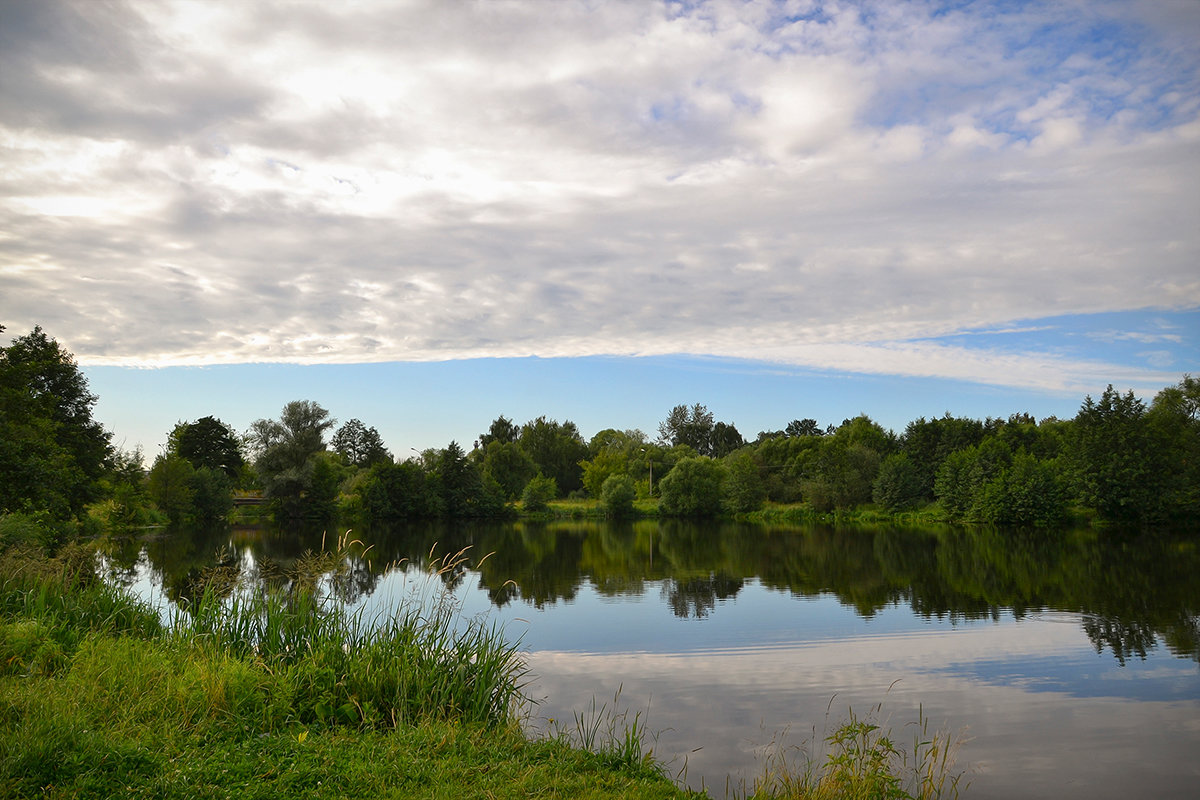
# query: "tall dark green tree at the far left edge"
{"points": [[53, 454]]}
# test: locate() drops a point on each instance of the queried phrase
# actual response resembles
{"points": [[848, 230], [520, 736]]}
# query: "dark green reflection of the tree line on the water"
{"points": [[1133, 588]]}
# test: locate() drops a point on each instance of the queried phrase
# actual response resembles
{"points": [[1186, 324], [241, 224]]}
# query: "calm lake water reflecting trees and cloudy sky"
{"points": [[1070, 663]]}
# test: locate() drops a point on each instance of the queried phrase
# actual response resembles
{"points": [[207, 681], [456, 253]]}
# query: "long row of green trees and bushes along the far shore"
{"points": [[1119, 460]]}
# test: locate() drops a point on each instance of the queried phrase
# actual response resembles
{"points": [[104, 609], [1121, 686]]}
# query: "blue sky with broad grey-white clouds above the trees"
{"points": [[427, 214]]}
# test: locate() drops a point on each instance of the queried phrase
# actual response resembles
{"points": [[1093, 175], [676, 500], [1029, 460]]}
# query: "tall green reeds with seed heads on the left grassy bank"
{"points": [[423, 661]]}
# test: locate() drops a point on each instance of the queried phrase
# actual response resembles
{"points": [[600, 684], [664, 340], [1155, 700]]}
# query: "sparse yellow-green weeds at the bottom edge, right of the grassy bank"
{"points": [[863, 761]]}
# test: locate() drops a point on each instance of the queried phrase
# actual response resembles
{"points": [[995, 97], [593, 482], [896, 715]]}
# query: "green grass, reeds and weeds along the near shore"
{"points": [[279, 691]]}
